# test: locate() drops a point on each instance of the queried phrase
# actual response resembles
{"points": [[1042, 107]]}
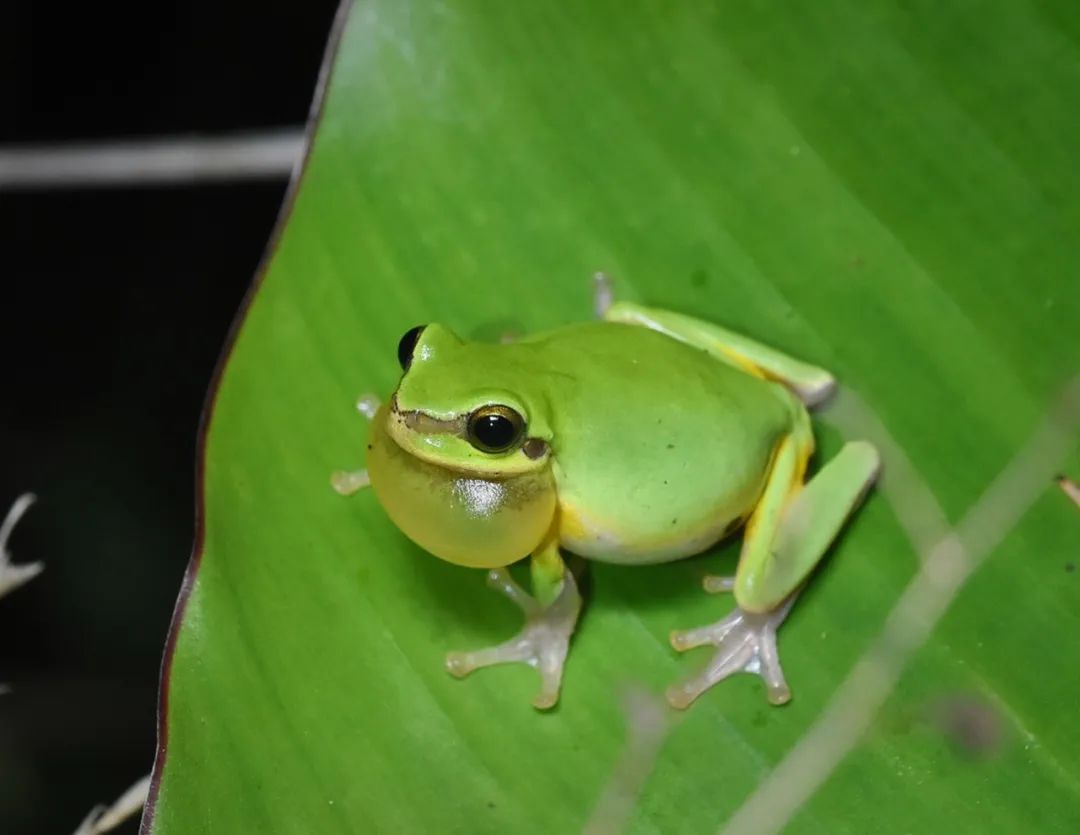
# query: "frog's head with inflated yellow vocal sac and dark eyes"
{"points": [[461, 459]]}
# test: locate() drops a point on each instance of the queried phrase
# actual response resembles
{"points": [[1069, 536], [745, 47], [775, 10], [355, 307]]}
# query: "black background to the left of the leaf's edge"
{"points": [[115, 307]]}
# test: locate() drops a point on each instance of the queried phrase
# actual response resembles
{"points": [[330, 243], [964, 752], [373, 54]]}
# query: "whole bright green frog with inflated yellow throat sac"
{"points": [[640, 437]]}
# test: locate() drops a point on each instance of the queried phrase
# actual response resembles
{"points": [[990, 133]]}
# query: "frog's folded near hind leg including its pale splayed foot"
{"points": [[787, 536]]}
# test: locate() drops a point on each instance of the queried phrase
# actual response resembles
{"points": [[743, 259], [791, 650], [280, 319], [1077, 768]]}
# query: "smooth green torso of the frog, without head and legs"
{"points": [[659, 449]]}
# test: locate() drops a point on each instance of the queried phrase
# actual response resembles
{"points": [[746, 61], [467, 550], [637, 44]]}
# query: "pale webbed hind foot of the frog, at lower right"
{"points": [[746, 643]]}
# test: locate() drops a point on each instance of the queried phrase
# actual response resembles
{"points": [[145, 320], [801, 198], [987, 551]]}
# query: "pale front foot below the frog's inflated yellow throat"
{"points": [[542, 644]]}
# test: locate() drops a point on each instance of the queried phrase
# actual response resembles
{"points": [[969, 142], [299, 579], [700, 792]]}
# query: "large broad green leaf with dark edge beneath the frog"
{"points": [[887, 190]]}
